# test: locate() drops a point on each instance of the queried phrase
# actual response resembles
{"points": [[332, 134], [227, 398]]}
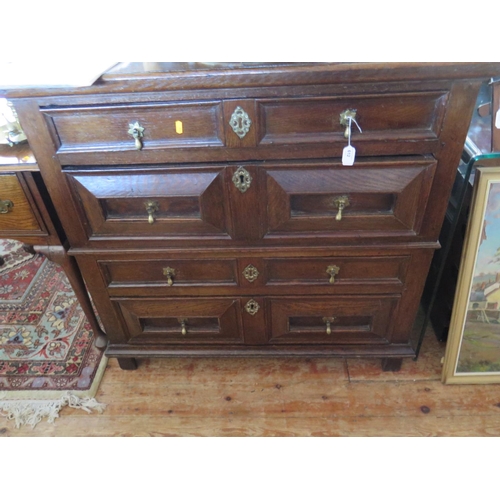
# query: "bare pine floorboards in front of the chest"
{"points": [[281, 397]]}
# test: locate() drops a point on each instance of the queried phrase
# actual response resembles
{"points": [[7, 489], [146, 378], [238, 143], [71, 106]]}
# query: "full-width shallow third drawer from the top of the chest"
{"points": [[193, 274]]}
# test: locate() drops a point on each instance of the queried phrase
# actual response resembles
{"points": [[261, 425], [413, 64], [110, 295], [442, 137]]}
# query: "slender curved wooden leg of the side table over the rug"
{"points": [[68, 263]]}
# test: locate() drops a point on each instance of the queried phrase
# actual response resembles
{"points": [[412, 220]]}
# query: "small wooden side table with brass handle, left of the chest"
{"points": [[27, 215]]}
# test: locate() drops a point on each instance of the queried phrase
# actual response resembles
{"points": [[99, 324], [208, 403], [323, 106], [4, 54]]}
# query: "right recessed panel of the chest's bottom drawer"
{"points": [[350, 320]]}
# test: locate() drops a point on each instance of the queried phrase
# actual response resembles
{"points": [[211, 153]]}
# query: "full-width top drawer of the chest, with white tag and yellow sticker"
{"points": [[248, 128]]}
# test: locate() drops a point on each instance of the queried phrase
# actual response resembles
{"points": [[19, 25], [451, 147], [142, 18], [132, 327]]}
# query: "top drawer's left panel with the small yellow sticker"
{"points": [[103, 128]]}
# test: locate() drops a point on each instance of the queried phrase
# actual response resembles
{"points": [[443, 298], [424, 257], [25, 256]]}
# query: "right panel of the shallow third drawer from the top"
{"points": [[342, 273]]}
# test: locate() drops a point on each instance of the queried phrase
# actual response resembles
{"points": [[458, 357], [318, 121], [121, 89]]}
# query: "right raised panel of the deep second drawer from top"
{"points": [[379, 199]]}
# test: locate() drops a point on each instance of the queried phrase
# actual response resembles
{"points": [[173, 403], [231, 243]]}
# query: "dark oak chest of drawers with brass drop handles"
{"points": [[211, 214]]}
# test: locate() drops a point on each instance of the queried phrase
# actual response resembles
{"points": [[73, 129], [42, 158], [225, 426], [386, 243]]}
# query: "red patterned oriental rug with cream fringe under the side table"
{"points": [[47, 354]]}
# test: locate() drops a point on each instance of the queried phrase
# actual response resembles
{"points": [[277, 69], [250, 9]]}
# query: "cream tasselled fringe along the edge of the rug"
{"points": [[32, 412]]}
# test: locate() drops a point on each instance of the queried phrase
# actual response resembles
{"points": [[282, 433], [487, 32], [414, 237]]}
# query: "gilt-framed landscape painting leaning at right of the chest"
{"points": [[473, 348]]}
